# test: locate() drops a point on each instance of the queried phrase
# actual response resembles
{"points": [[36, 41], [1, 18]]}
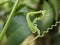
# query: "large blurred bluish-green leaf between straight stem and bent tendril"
{"points": [[18, 30]]}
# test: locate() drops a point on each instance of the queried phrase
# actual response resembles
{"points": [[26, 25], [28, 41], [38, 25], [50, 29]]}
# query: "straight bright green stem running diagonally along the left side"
{"points": [[9, 20]]}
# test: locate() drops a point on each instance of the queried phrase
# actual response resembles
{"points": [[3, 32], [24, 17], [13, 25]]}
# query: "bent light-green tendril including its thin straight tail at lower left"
{"points": [[32, 25]]}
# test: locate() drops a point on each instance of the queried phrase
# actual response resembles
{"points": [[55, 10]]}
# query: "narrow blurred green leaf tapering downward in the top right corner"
{"points": [[55, 4]]}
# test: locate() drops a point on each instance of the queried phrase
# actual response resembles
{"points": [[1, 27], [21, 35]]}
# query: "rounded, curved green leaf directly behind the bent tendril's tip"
{"points": [[48, 20]]}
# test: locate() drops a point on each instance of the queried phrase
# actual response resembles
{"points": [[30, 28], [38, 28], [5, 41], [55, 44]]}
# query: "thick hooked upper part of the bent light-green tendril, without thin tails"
{"points": [[31, 25]]}
